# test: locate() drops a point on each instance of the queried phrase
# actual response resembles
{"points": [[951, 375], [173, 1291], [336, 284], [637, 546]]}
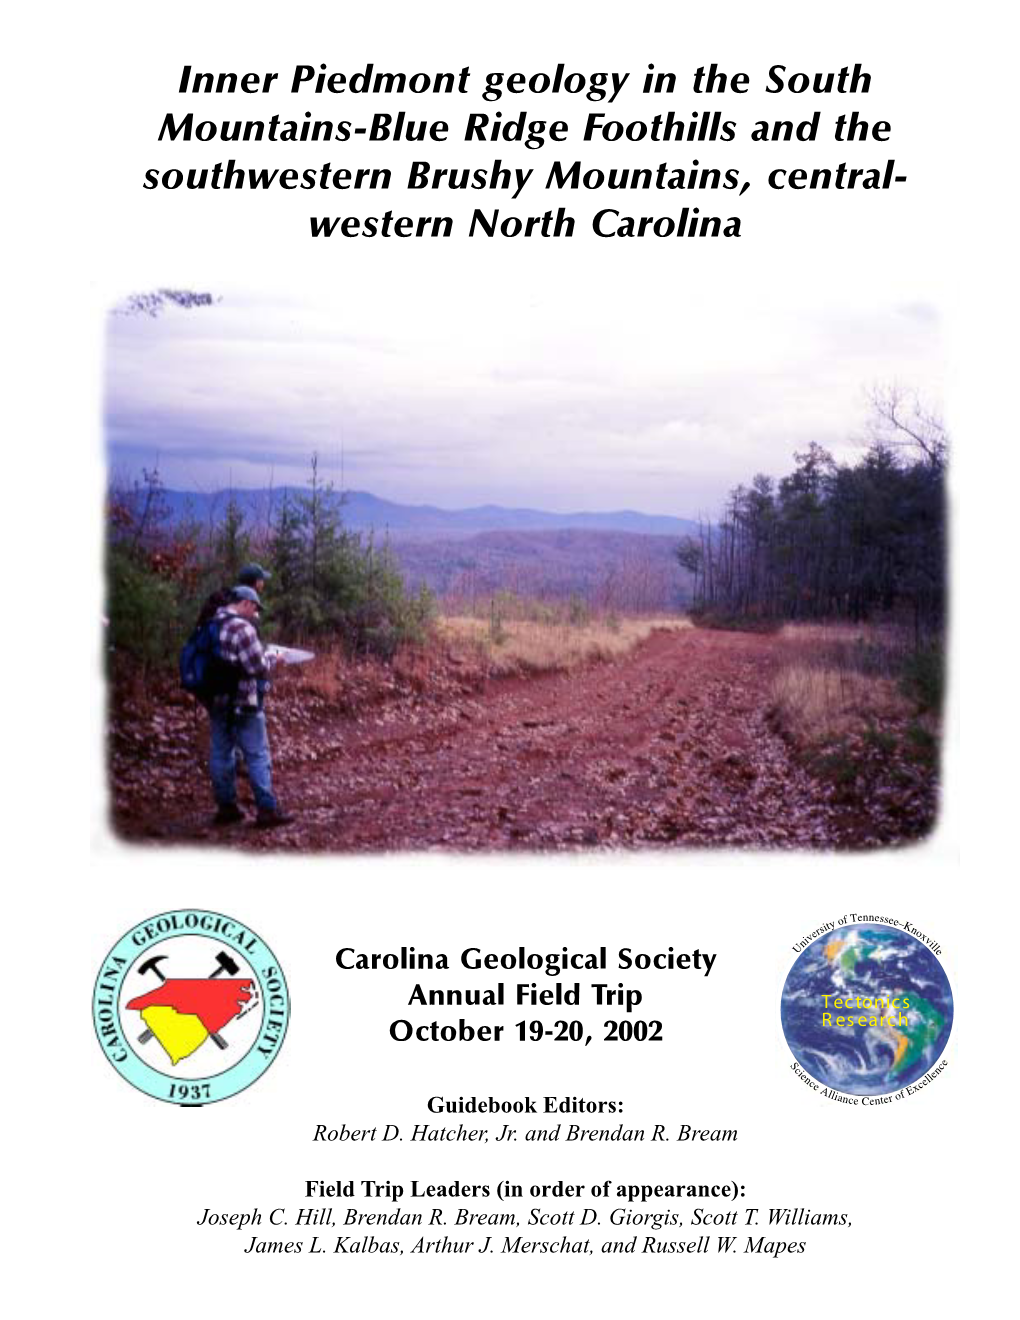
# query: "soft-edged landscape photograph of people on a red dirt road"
{"points": [[395, 587]]}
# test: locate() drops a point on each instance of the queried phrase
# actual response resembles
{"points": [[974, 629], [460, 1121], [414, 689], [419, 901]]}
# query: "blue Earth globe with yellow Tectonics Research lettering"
{"points": [[883, 976]]}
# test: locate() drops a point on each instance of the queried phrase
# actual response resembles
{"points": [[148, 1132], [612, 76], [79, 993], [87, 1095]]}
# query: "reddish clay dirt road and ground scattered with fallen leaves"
{"points": [[668, 746]]}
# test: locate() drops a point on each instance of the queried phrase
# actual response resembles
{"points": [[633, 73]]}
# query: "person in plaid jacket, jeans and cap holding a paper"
{"points": [[238, 716]]}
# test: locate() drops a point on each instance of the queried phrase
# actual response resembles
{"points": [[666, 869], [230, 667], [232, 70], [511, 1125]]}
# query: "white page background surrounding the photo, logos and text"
{"points": [[106, 1185]]}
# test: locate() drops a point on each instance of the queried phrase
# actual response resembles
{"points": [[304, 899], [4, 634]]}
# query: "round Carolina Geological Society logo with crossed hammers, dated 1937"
{"points": [[191, 1006]]}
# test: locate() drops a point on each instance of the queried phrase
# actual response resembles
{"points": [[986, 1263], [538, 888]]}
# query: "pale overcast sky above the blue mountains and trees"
{"points": [[554, 409]]}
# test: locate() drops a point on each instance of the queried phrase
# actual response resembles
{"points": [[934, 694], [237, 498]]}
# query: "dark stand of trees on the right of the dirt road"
{"points": [[850, 542]]}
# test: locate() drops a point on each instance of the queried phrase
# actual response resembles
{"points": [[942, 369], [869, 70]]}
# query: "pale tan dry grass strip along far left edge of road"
{"points": [[538, 647]]}
